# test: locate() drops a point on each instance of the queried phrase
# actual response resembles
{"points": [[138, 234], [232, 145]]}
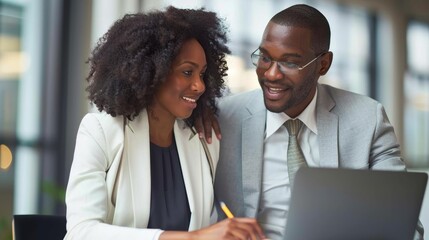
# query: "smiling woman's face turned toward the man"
{"points": [[178, 95]]}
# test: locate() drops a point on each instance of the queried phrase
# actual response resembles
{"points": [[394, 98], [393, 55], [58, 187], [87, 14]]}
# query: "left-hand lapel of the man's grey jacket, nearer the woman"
{"points": [[253, 129]]}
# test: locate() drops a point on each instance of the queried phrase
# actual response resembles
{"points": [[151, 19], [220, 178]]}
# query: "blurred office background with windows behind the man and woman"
{"points": [[381, 49]]}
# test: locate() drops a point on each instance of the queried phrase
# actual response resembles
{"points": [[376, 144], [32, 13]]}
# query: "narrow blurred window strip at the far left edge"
{"points": [[11, 67]]}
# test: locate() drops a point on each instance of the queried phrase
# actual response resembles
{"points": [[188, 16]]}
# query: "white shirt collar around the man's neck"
{"points": [[308, 117]]}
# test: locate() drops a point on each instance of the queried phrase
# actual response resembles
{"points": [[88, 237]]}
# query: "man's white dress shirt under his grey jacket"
{"points": [[275, 196]]}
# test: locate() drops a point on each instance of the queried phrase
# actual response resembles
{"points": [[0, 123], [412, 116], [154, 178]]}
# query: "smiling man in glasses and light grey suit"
{"points": [[339, 129]]}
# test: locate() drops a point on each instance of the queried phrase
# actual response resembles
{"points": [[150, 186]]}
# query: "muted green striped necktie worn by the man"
{"points": [[295, 157]]}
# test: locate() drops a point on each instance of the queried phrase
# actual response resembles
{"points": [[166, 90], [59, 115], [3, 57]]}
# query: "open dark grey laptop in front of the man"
{"points": [[351, 204]]}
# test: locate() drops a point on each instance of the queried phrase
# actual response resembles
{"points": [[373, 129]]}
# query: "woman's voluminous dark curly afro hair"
{"points": [[131, 61]]}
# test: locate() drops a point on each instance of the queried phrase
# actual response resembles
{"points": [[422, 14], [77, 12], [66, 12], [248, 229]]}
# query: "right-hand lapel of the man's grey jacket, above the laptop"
{"points": [[327, 127]]}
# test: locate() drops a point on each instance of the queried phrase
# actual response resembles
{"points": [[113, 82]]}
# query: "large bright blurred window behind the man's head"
{"points": [[350, 41]]}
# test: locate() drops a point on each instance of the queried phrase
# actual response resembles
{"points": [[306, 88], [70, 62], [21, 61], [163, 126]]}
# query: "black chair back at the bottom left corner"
{"points": [[35, 227]]}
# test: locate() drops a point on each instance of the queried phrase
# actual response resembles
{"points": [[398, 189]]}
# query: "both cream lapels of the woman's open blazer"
{"points": [[138, 166]]}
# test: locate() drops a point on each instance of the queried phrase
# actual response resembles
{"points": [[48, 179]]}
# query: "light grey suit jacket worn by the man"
{"points": [[353, 132]]}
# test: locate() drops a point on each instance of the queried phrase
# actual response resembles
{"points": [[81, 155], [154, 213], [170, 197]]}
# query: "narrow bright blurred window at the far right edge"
{"points": [[416, 91]]}
